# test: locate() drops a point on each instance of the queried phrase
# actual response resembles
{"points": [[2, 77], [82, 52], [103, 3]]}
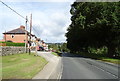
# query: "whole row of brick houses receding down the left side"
{"points": [[19, 36]]}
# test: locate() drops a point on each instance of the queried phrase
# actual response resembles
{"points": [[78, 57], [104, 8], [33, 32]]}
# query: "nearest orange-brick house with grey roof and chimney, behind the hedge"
{"points": [[17, 35]]}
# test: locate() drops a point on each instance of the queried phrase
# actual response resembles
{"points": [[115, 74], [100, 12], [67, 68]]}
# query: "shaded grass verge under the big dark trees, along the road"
{"points": [[101, 57]]}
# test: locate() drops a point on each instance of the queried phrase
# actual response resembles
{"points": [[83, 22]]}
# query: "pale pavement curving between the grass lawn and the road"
{"points": [[52, 69]]}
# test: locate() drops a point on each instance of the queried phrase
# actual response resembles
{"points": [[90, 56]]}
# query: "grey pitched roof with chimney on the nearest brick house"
{"points": [[20, 30]]}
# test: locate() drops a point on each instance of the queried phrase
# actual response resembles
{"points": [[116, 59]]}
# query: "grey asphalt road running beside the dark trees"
{"points": [[77, 67]]}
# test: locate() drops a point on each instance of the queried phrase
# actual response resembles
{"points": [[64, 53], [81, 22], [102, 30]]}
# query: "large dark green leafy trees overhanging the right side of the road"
{"points": [[94, 24]]}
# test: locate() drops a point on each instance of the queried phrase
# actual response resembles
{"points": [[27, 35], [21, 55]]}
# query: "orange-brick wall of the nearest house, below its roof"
{"points": [[18, 38]]}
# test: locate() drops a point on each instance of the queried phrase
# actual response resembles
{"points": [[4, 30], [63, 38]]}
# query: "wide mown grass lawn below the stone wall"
{"points": [[21, 66]]}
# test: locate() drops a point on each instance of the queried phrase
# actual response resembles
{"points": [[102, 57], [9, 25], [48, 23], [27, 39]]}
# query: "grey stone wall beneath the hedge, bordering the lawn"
{"points": [[8, 50]]}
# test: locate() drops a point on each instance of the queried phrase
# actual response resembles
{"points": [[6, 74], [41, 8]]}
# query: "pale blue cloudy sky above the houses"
{"points": [[50, 19]]}
